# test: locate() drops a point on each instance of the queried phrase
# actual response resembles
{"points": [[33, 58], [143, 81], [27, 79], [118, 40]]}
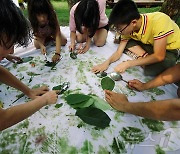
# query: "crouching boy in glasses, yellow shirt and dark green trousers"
{"points": [[154, 33]]}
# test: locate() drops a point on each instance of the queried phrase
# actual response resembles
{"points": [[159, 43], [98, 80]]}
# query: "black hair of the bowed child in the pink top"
{"points": [[87, 14]]}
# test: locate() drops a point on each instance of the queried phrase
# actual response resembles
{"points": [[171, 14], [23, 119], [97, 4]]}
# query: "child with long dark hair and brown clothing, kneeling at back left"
{"points": [[45, 26]]}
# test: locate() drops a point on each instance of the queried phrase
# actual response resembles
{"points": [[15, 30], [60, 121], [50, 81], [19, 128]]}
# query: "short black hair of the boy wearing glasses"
{"points": [[123, 13]]}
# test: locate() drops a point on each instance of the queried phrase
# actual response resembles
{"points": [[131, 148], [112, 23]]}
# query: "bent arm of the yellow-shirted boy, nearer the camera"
{"points": [[158, 56]]}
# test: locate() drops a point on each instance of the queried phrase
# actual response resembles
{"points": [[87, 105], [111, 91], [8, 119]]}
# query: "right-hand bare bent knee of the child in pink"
{"points": [[100, 37]]}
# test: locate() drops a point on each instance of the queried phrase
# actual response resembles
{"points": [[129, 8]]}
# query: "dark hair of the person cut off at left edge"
{"points": [[14, 28]]}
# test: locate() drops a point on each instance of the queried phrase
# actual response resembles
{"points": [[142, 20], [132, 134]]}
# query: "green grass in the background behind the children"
{"points": [[62, 12]]}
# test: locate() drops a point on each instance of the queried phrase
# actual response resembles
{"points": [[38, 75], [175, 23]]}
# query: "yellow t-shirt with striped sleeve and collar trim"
{"points": [[156, 26]]}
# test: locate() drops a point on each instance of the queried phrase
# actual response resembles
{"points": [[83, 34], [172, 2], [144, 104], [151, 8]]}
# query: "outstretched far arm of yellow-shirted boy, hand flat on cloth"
{"points": [[115, 56]]}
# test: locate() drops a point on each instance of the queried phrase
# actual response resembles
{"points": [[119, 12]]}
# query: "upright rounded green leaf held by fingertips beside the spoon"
{"points": [[107, 83]]}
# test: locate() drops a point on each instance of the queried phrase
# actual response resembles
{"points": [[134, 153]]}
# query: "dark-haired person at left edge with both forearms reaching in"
{"points": [[10, 35]]}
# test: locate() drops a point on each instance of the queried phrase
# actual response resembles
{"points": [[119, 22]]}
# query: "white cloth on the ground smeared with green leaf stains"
{"points": [[58, 130]]}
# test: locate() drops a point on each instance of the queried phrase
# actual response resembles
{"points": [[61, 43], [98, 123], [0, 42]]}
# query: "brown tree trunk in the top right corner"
{"points": [[171, 8]]}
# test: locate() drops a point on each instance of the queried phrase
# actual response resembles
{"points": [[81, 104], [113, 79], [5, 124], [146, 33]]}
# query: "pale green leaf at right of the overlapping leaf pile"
{"points": [[101, 103]]}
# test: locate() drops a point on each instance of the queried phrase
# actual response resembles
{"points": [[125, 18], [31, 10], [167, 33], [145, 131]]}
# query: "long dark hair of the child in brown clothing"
{"points": [[36, 7]]}
